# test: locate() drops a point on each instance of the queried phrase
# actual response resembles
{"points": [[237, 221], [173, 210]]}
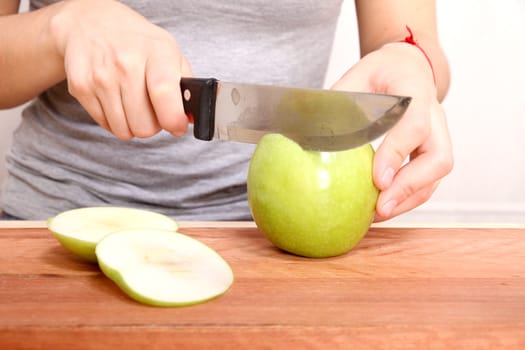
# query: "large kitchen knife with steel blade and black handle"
{"points": [[319, 120]]}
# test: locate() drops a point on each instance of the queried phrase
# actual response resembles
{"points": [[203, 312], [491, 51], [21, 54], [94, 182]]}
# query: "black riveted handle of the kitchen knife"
{"points": [[198, 98]]}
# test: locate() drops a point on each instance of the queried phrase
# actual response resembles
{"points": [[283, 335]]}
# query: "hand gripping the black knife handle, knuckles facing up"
{"points": [[124, 70]]}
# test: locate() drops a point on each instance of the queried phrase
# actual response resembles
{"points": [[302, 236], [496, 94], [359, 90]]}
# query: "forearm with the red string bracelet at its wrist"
{"points": [[384, 22]]}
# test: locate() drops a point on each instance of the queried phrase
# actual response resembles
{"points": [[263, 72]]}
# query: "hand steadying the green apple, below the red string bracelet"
{"points": [[421, 136]]}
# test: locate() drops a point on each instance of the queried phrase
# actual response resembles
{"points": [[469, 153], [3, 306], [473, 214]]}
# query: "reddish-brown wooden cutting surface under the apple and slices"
{"points": [[401, 288]]}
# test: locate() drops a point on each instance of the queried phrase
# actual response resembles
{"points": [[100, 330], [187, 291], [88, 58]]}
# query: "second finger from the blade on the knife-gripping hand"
{"points": [[140, 116]]}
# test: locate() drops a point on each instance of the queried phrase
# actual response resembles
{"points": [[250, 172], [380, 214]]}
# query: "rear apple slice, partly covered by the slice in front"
{"points": [[79, 230]]}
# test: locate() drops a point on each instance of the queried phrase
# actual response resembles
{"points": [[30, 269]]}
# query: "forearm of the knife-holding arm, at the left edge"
{"points": [[30, 62]]}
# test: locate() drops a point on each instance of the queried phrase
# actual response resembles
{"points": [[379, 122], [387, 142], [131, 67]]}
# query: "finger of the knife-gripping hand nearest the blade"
{"points": [[163, 84]]}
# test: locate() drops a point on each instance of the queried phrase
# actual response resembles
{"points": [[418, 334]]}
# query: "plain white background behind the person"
{"points": [[485, 44]]}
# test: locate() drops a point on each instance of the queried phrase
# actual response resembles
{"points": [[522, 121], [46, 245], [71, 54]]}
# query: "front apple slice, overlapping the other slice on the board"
{"points": [[163, 268]]}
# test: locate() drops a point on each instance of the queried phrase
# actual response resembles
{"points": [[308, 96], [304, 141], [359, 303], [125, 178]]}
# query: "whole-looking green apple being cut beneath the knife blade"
{"points": [[312, 204]]}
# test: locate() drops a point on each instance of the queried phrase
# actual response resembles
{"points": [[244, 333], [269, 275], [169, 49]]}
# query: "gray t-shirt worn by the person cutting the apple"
{"points": [[60, 159]]}
